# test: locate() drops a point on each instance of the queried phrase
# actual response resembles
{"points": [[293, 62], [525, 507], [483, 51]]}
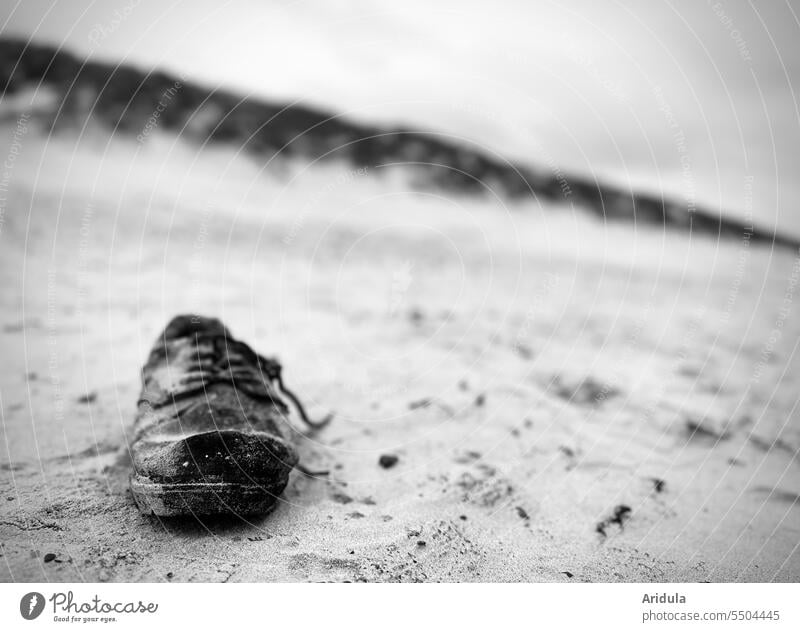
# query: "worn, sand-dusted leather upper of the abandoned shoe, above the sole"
{"points": [[209, 411]]}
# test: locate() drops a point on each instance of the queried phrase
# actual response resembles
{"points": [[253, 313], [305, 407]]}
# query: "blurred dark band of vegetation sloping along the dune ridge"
{"points": [[125, 98]]}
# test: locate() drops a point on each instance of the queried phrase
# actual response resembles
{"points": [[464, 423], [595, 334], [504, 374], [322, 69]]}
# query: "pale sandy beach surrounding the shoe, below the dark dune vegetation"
{"points": [[567, 401]]}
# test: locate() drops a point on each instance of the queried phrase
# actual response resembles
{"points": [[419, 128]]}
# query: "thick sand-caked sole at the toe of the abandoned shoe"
{"points": [[200, 499]]}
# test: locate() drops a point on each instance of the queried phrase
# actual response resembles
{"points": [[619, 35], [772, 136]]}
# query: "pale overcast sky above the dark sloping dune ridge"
{"points": [[589, 86]]}
